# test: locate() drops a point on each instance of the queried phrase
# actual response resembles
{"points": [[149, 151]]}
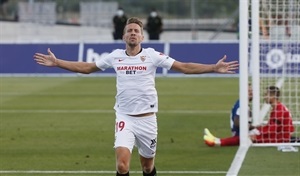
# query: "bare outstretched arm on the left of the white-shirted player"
{"points": [[50, 60]]}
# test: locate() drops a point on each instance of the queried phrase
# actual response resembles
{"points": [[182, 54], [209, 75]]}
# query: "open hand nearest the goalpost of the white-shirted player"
{"points": [[226, 67]]}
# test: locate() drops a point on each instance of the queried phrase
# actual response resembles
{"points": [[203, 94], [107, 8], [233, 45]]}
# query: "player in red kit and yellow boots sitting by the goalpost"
{"points": [[279, 128]]}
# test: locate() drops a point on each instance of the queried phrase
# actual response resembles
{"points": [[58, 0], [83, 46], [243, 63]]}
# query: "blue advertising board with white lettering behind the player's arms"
{"points": [[18, 58]]}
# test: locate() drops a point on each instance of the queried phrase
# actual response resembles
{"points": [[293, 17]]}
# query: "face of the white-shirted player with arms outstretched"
{"points": [[133, 35]]}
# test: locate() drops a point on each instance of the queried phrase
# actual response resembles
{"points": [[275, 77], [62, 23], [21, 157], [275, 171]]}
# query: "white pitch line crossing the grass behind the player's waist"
{"points": [[111, 111]]}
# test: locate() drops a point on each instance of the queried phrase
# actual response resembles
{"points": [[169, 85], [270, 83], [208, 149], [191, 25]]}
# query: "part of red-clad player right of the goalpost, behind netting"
{"points": [[280, 127]]}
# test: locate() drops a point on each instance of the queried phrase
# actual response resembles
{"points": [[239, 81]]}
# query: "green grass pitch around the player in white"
{"points": [[67, 124]]}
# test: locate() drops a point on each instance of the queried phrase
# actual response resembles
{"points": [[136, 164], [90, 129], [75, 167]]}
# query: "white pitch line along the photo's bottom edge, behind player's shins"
{"points": [[105, 172]]}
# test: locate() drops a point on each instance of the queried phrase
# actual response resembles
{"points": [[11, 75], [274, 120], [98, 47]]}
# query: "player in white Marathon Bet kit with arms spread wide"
{"points": [[136, 100]]}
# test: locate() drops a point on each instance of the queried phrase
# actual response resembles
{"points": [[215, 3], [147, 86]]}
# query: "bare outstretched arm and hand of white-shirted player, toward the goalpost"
{"points": [[194, 68]]}
